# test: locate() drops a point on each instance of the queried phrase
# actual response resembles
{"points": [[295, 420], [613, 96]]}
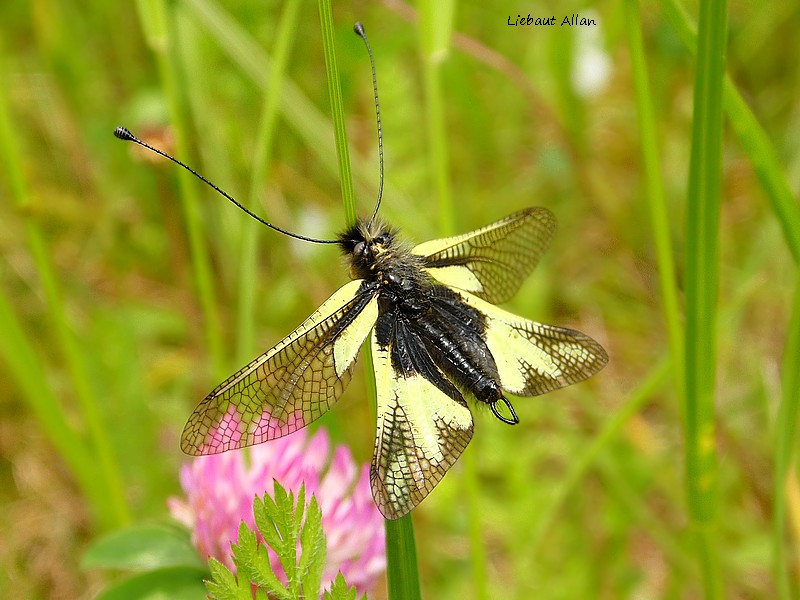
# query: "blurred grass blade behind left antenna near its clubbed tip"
{"points": [[158, 22]]}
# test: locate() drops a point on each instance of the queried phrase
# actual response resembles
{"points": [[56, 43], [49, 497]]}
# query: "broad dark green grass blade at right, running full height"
{"points": [[702, 274]]}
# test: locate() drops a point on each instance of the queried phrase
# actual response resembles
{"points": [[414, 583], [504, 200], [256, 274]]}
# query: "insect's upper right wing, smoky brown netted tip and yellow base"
{"points": [[491, 262]]}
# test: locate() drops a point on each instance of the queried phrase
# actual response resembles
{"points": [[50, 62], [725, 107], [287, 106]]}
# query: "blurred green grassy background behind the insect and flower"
{"points": [[128, 291]]}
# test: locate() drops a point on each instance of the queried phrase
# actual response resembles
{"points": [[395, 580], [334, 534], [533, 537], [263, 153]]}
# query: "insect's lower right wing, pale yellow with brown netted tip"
{"points": [[533, 358]]}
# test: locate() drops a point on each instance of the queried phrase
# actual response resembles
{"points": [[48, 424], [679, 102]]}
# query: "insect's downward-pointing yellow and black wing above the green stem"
{"points": [[421, 432]]}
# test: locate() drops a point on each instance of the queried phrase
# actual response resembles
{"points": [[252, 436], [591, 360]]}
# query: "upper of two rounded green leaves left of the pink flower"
{"points": [[142, 547]]}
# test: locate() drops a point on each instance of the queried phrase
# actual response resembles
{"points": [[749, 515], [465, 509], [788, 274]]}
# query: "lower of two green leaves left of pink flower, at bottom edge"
{"points": [[175, 583]]}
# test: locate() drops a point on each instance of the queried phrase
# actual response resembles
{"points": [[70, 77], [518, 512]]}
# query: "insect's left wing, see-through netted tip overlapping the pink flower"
{"points": [[289, 386]]}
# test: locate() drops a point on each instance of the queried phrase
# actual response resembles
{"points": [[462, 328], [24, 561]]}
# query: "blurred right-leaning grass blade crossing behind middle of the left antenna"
{"points": [[262, 159]]}
